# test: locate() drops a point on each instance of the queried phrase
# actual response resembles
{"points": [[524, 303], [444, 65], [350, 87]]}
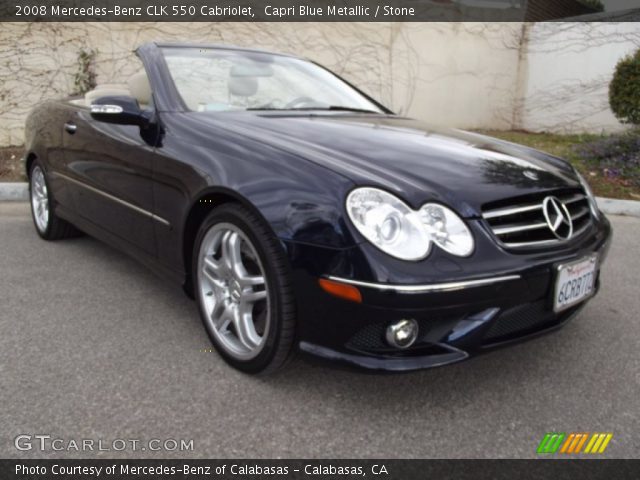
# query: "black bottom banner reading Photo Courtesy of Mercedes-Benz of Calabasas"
{"points": [[319, 469]]}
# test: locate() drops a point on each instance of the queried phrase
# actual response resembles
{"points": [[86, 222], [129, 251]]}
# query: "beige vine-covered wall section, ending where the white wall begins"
{"points": [[436, 71]]}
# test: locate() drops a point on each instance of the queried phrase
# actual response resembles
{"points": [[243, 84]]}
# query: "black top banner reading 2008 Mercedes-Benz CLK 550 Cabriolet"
{"points": [[310, 11]]}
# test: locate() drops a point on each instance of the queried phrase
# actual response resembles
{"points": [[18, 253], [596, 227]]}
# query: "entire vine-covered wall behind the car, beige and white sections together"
{"points": [[544, 76]]}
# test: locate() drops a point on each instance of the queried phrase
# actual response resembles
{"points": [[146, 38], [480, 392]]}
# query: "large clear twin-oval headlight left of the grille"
{"points": [[396, 229]]}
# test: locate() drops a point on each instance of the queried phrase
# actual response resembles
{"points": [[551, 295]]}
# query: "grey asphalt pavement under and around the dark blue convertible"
{"points": [[94, 346]]}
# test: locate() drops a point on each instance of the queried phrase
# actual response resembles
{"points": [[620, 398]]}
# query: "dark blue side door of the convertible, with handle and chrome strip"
{"points": [[109, 168]]}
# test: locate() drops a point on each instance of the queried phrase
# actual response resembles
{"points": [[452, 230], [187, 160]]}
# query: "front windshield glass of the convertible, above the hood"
{"points": [[223, 80]]}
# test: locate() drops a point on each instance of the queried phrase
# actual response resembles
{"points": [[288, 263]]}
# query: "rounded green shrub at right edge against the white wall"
{"points": [[624, 90]]}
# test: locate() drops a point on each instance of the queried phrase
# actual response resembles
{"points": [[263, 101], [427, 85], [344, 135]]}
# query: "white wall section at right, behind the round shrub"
{"points": [[569, 68]]}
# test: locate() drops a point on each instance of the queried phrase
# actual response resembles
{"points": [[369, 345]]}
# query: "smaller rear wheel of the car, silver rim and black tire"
{"points": [[48, 225]]}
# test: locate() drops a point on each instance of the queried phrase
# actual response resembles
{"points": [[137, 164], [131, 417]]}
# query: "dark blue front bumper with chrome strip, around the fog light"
{"points": [[457, 318]]}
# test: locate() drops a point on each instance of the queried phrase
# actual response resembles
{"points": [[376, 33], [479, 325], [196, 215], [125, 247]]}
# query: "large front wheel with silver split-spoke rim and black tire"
{"points": [[243, 288]]}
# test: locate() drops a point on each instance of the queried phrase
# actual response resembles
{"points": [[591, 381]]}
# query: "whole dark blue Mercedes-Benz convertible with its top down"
{"points": [[302, 215]]}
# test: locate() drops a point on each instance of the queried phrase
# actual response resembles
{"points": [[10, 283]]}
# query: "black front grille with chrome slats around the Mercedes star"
{"points": [[521, 223]]}
